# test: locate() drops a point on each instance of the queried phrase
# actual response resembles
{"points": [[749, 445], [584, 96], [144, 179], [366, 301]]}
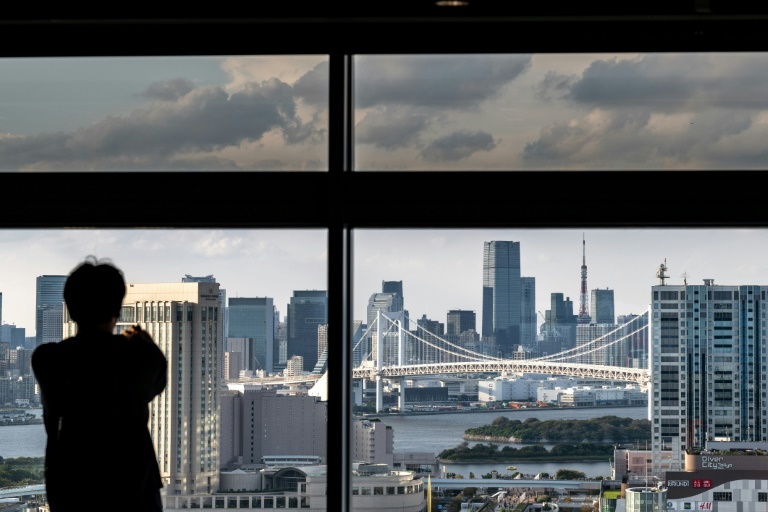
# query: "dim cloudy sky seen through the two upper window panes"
{"points": [[446, 112]]}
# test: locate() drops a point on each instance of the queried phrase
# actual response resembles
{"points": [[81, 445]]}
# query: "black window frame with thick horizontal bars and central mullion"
{"points": [[554, 199]]}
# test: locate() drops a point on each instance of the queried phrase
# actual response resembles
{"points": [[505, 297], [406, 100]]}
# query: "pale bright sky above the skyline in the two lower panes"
{"points": [[441, 270]]}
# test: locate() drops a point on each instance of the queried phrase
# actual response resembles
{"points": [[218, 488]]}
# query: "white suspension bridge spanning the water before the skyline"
{"points": [[387, 350]]}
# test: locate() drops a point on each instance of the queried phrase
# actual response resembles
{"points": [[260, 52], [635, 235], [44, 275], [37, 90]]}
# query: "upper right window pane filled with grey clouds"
{"points": [[561, 111]]}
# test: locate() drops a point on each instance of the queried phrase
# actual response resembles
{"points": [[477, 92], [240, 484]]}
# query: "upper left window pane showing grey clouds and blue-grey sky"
{"points": [[229, 113]]}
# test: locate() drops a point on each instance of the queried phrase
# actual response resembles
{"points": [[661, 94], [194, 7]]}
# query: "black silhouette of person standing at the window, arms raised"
{"points": [[95, 388]]}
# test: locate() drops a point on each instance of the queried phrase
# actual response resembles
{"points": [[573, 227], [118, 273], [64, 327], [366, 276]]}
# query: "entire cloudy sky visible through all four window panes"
{"points": [[418, 112]]}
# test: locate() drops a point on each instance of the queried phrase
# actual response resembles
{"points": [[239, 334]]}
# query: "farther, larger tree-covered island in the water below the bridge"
{"points": [[604, 430]]}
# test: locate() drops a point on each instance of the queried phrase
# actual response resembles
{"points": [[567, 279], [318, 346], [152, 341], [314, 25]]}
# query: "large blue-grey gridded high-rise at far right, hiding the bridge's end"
{"points": [[708, 367]]}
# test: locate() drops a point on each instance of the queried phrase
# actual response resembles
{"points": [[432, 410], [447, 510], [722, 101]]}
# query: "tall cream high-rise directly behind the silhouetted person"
{"points": [[184, 321]]}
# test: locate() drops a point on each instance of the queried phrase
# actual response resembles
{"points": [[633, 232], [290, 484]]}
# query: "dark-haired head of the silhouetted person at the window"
{"points": [[94, 291]]}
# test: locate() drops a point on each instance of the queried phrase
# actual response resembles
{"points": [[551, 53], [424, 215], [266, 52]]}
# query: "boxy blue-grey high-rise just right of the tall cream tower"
{"points": [[253, 318]]}
